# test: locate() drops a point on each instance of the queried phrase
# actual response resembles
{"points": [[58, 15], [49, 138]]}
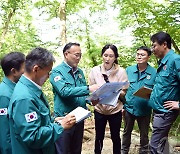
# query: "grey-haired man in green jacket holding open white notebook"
{"points": [[31, 127]]}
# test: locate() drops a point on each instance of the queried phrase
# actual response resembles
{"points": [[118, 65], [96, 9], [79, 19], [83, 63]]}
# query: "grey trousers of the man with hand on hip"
{"points": [[162, 123]]}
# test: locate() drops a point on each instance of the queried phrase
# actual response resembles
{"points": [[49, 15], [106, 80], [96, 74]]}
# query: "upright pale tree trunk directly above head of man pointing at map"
{"points": [[62, 16]]}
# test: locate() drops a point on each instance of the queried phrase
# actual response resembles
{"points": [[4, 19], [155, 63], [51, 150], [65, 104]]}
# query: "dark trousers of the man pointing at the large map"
{"points": [[70, 142]]}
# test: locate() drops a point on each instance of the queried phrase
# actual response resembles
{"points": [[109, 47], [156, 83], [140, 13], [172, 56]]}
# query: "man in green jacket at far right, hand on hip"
{"points": [[165, 96]]}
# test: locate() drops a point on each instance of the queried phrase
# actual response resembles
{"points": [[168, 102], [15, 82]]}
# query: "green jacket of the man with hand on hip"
{"points": [[167, 83]]}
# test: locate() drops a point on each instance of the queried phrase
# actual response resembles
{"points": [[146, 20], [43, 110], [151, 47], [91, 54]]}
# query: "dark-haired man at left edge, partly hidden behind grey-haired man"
{"points": [[13, 66]]}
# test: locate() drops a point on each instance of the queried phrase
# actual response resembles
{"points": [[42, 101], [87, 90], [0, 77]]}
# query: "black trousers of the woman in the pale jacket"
{"points": [[114, 124]]}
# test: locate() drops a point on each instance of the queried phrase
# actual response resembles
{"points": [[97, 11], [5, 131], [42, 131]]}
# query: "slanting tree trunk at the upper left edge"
{"points": [[6, 26]]}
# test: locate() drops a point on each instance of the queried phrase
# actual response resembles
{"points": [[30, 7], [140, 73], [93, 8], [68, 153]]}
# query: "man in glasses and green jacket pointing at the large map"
{"points": [[70, 90]]}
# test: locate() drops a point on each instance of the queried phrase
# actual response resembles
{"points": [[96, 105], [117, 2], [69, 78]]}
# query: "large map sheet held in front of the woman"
{"points": [[108, 93]]}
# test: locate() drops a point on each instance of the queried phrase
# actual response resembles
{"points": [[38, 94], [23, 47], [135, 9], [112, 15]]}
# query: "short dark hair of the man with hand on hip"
{"points": [[162, 37]]}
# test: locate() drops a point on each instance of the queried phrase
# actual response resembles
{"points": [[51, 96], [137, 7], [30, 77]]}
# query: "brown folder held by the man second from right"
{"points": [[143, 92]]}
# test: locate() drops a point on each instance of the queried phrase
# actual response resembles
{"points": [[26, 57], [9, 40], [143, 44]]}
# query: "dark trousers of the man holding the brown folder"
{"points": [[143, 124]]}
